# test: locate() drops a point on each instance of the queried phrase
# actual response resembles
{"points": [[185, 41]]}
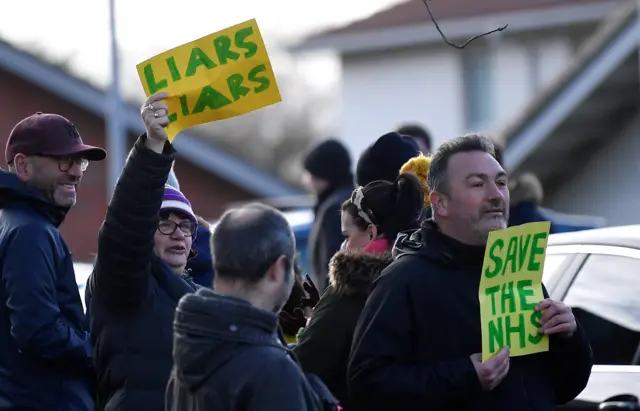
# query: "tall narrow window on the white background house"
{"points": [[478, 101]]}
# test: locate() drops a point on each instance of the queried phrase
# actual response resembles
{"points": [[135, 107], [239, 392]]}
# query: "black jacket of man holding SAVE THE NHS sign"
{"points": [[421, 324]]}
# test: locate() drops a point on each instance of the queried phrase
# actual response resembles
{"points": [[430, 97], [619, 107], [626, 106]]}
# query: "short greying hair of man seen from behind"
{"points": [[248, 240]]}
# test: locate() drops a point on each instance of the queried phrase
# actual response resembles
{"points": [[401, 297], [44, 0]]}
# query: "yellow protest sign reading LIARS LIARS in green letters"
{"points": [[222, 75]]}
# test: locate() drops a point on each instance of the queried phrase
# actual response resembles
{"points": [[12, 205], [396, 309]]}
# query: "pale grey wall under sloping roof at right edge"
{"points": [[608, 185]]}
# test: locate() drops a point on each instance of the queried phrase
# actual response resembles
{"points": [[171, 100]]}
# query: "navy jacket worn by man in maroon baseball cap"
{"points": [[45, 349]]}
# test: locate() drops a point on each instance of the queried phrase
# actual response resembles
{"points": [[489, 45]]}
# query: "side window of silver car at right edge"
{"points": [[604, 298]]}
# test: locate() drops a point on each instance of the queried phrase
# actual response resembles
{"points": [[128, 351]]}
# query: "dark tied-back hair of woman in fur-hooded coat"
{"points": [[391, 207]]}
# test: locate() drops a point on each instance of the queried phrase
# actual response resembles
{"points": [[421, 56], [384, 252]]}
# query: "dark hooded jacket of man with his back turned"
{"points": [[228, 356]]}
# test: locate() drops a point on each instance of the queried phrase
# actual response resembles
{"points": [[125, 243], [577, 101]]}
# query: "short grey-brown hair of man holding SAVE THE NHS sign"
{"points": [[437, 177]]}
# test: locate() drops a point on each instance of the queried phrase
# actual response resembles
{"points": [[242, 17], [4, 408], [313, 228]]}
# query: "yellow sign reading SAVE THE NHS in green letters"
{"points": [[511, 287]]}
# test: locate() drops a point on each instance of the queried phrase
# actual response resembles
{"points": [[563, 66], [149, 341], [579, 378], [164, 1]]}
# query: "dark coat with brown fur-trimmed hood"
{"points": [[324, 346]]}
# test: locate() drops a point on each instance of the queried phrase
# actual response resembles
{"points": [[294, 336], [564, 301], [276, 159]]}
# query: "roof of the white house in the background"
{"points": [[408, 23]]}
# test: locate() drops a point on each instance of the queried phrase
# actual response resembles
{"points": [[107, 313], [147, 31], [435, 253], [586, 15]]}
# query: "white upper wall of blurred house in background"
{"points": [[384, 89]]}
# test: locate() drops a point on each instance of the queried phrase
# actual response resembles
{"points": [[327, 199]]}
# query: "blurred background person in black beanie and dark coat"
{"points": [[328, 175]]}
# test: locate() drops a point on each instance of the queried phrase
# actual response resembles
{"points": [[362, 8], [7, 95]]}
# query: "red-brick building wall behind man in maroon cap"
{"points": [[18, 99]]}
